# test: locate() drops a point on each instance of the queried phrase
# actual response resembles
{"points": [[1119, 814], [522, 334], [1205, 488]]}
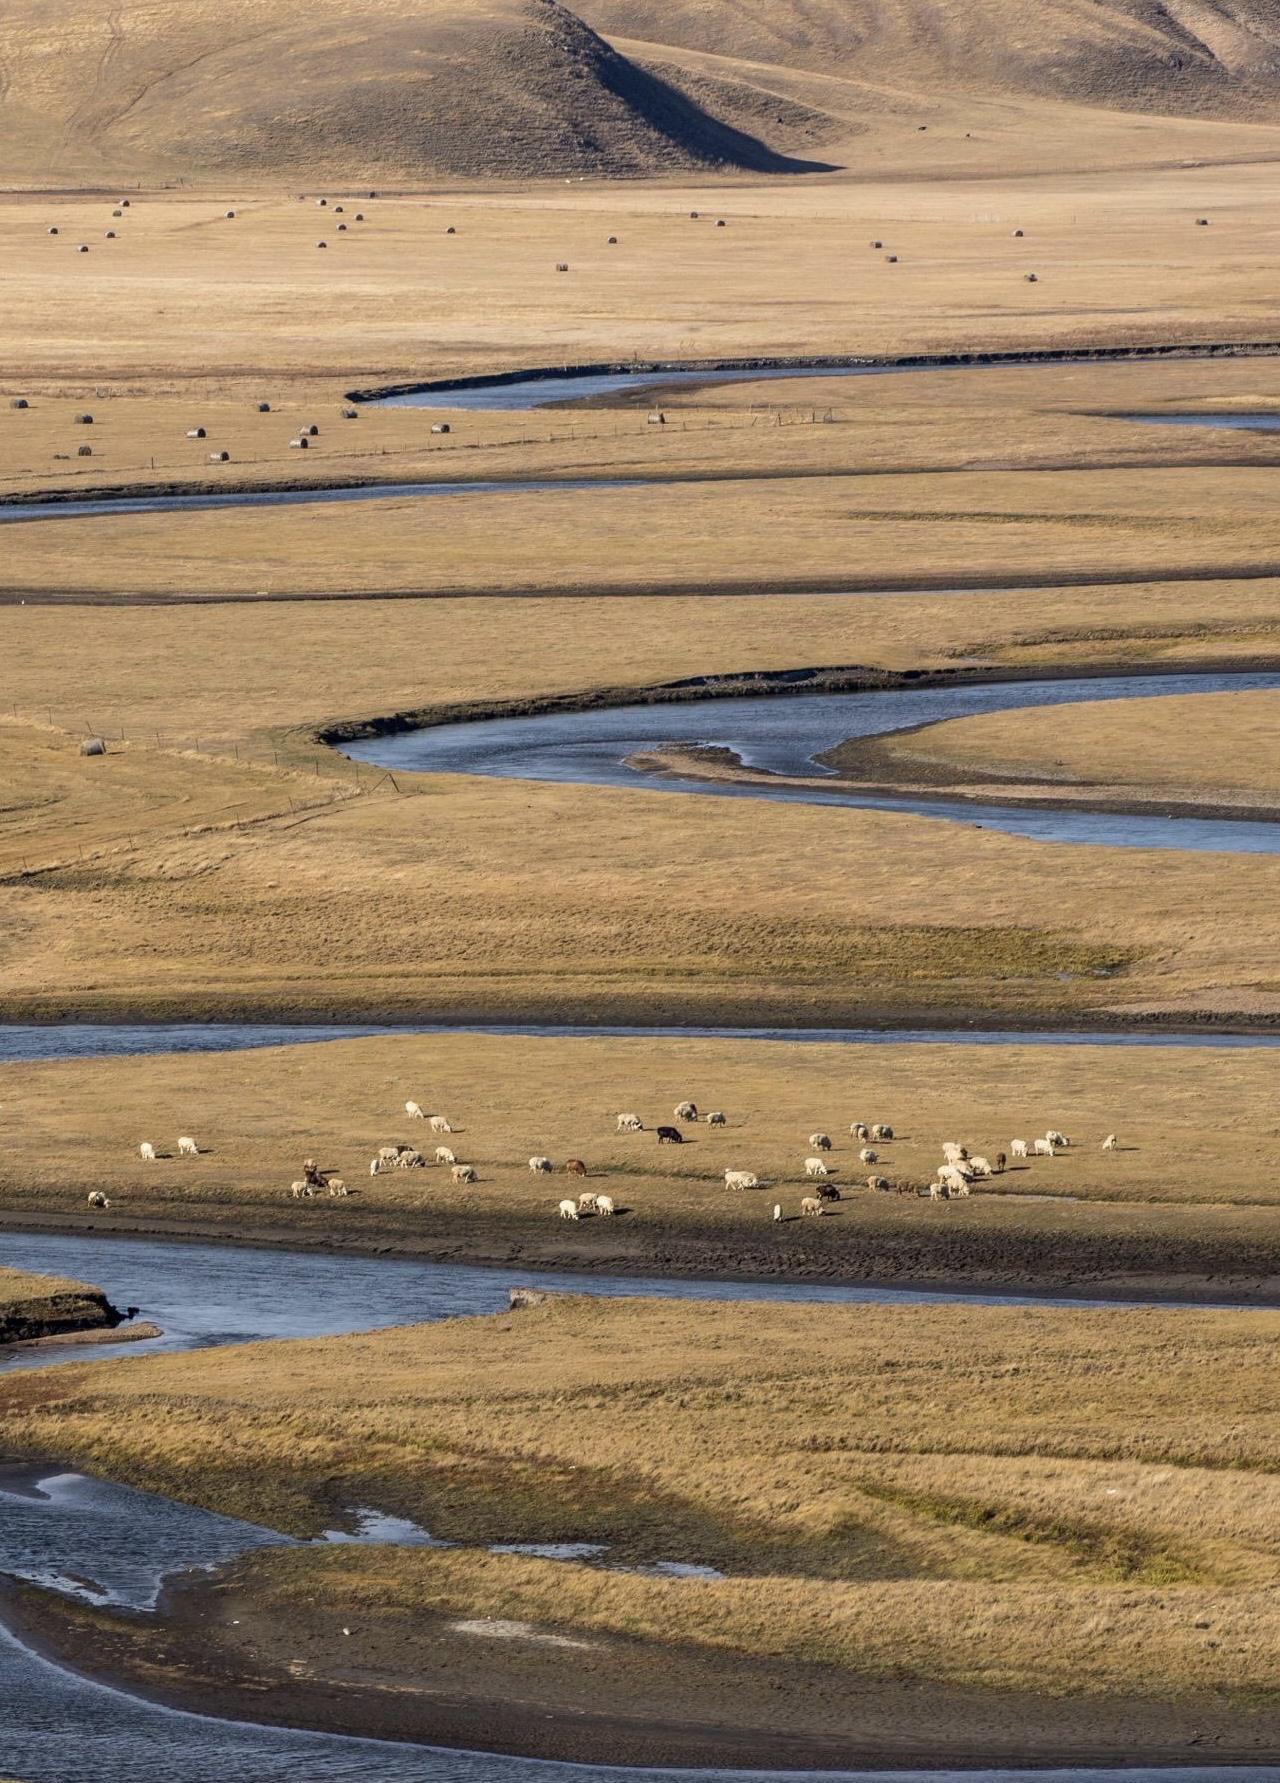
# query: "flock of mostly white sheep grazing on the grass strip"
{"points": [[953, 1179]]}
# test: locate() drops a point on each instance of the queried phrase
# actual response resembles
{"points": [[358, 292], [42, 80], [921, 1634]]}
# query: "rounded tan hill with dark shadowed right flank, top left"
{"points": [[361, 88]]}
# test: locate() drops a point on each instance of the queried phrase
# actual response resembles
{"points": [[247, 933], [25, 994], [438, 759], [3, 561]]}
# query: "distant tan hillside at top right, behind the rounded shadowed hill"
{"points": [[1165, 56]]}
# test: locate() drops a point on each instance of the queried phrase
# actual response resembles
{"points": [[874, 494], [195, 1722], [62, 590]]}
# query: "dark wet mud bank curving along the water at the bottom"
{"points": [[596, 1698]]}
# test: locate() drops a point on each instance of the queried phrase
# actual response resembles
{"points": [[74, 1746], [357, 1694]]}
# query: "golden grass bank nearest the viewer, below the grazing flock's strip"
{"points": [[1049, 1500]]}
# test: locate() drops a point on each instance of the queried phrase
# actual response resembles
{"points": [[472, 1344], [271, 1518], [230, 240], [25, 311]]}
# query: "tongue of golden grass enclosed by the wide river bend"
{"points": [[1208, 748]]}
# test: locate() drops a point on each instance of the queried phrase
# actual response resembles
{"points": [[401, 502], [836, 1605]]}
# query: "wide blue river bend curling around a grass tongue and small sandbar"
{"points": [[787, 734]]}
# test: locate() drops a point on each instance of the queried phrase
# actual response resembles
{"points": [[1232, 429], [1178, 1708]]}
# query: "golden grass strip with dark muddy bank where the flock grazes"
{"points": [[1186, 1201]]}
